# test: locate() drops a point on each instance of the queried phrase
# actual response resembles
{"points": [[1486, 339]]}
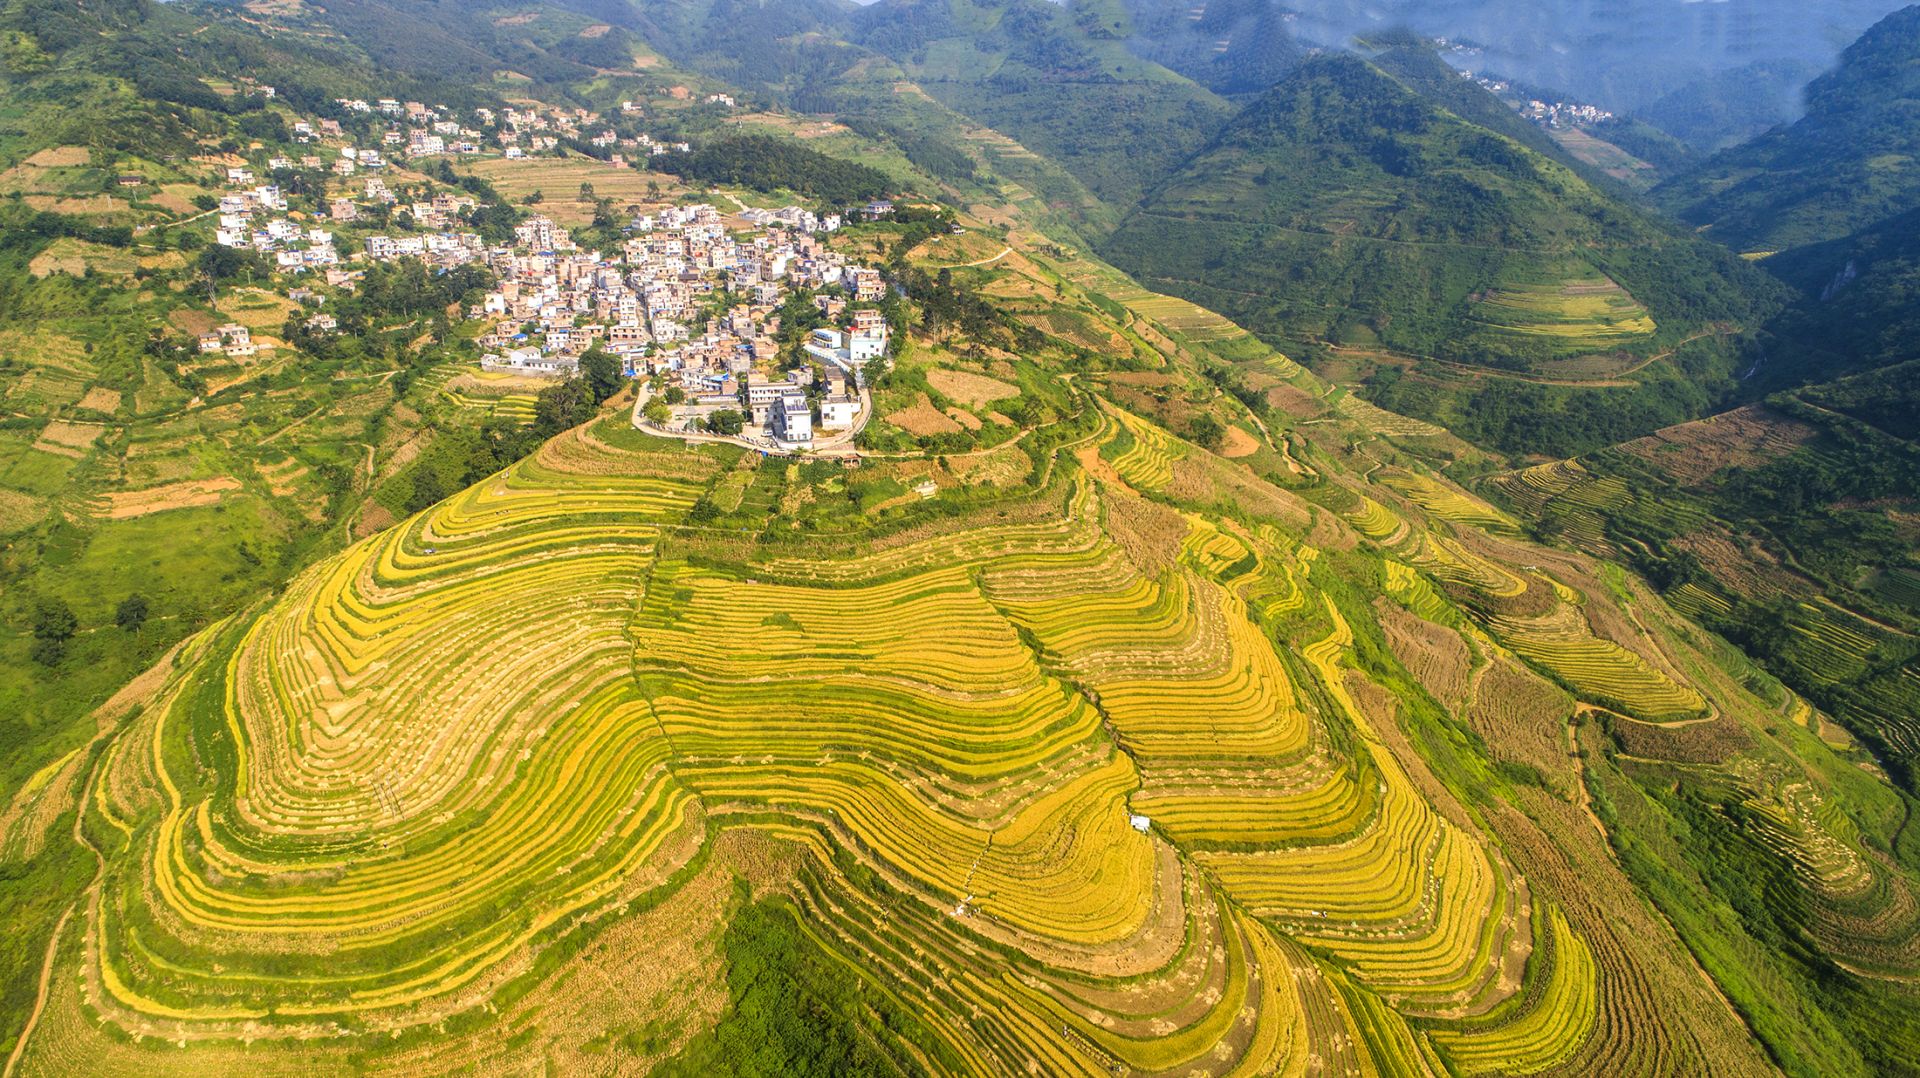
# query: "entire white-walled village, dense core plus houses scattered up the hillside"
{"points": [[692, 301]]}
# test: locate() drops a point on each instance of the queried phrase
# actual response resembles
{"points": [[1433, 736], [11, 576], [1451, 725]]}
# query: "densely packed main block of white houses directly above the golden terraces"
{"points": [[700, 303]]}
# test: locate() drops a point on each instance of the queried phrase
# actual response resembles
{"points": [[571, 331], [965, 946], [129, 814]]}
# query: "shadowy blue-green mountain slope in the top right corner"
{"points": [[1852, 162]]}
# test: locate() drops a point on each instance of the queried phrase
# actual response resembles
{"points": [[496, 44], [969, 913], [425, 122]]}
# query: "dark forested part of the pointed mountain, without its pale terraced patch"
{"points": [[1343, 203]]}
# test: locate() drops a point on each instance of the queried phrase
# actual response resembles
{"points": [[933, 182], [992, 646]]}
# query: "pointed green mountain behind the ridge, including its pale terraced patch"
{"points": [[1347, 208]]}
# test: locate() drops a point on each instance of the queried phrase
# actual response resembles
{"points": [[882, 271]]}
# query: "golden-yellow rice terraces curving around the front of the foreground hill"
{"points": [[462, 747]]}
